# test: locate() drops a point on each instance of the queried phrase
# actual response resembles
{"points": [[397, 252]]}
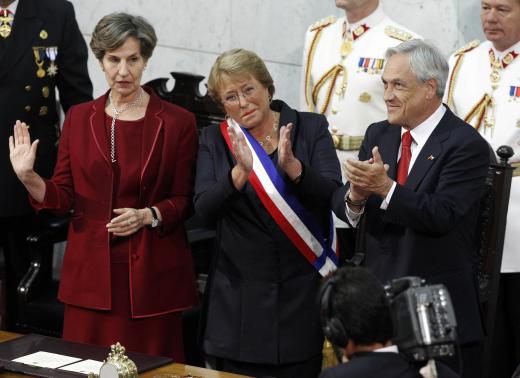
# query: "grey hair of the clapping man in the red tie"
{"points": [[426, 62]]}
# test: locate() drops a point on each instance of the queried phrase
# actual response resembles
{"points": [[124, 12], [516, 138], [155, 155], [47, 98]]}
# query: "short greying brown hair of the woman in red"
{"points": [[114, 29]]}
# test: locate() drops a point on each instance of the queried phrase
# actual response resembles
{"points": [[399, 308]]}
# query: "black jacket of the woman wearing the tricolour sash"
{"points": [[262, 299]]}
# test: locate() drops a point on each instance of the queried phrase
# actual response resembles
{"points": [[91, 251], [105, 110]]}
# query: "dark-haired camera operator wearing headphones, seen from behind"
{"points": [[356, 319]]}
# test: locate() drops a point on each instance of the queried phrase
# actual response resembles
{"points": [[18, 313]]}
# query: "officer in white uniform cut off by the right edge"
{"points": [[484, 90]]}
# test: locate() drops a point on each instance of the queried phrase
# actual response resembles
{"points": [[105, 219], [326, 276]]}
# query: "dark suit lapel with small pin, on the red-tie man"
{"points": [[430, 152]]}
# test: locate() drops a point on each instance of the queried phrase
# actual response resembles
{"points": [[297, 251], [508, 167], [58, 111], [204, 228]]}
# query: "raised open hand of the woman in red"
{"points": [[21, 152]]}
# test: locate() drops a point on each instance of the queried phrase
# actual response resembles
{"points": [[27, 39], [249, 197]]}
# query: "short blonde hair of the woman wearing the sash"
{"points": [[238, 63]]}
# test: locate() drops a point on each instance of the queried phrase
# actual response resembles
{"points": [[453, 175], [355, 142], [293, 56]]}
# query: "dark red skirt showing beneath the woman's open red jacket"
{"points": [[157, 335]]}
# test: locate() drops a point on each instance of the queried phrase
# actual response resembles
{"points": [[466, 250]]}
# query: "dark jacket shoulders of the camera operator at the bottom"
{"points": [[381, 365]]}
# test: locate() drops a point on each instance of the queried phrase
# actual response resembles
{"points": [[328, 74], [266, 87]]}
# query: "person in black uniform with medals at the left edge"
{"points": [[41, 49]]}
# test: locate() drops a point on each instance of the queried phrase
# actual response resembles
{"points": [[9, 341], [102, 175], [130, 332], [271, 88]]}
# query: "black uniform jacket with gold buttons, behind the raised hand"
{"points": [[25, 96]]}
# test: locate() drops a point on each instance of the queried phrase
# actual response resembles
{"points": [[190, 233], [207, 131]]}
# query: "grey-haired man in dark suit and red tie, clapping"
{"points": [[420, 197]]}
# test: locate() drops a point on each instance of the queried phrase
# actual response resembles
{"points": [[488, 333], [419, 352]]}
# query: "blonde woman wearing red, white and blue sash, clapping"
{"points": [[265, 176]]}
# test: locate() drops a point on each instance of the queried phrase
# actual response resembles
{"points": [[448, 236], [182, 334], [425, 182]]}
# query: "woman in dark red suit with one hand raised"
{"points": [[126, 169]]}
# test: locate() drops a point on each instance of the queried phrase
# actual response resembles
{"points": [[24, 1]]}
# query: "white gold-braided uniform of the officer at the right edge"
{"points": [[496, 114]]}
